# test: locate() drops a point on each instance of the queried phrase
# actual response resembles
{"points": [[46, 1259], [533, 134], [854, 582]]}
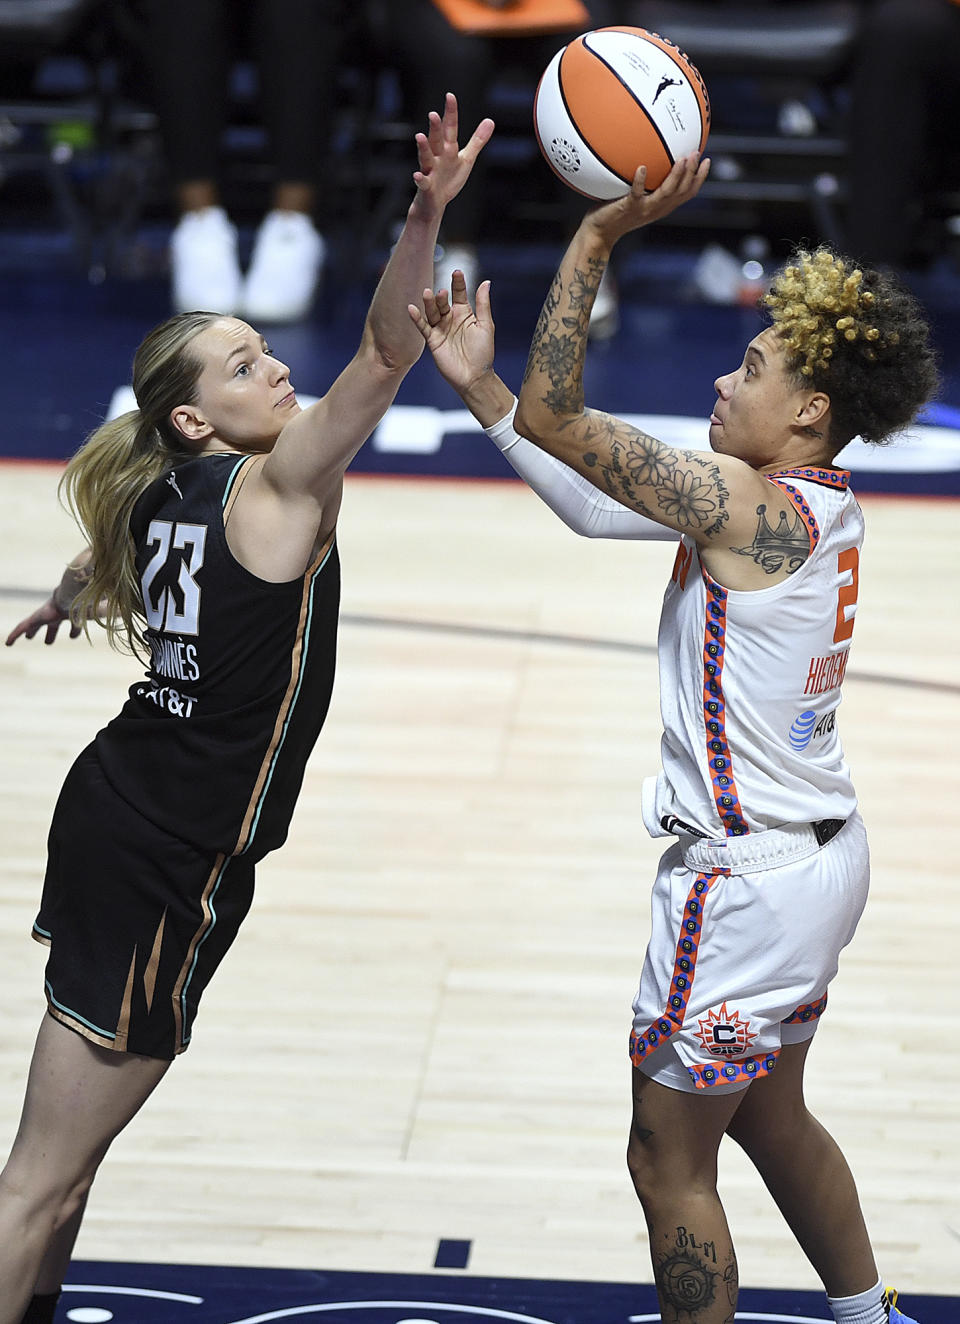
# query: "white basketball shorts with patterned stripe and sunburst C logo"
{"points": [[746, 937]]}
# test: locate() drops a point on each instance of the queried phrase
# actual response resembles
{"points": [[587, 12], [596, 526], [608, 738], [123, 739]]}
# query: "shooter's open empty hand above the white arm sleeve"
{"points": [[460, 340]]}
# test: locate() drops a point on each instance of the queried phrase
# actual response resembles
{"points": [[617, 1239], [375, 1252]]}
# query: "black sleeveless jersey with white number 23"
{"points": [[213, 745]]}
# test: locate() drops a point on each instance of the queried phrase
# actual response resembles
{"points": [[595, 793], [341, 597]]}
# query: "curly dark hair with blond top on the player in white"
{"points": [[860, 337]]}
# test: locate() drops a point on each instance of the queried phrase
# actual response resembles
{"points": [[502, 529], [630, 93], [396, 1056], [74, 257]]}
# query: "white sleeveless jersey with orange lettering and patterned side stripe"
{"points": [[751, 681]]}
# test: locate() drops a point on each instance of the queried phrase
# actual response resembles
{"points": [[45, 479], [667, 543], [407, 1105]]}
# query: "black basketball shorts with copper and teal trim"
{"points": [[137, 921]]}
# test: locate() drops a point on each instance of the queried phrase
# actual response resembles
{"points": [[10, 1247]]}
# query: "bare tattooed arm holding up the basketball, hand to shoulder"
{"points": [[685, 491]]}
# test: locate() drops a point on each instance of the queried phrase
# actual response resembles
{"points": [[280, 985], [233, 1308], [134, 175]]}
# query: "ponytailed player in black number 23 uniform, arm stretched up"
{"points": [[213, 513]]}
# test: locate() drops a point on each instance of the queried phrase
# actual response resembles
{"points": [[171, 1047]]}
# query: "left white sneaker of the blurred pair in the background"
{"points": [[205, 265]]}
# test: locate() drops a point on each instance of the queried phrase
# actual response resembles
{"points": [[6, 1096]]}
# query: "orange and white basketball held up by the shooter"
{"points": [[614, 100]]}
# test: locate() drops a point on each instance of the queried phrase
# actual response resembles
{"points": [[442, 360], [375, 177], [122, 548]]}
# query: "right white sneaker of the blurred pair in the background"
{"points": [[285, 268]]}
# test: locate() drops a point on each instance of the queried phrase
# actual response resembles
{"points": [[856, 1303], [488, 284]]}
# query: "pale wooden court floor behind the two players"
{"points": [[422, 1029]]}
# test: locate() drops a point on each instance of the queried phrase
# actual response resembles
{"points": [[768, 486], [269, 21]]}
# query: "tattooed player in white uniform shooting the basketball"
{"points": [[767, 872]]}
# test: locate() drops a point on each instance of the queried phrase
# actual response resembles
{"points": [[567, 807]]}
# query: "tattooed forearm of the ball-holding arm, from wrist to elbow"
{"points": [[553, 393]]}
